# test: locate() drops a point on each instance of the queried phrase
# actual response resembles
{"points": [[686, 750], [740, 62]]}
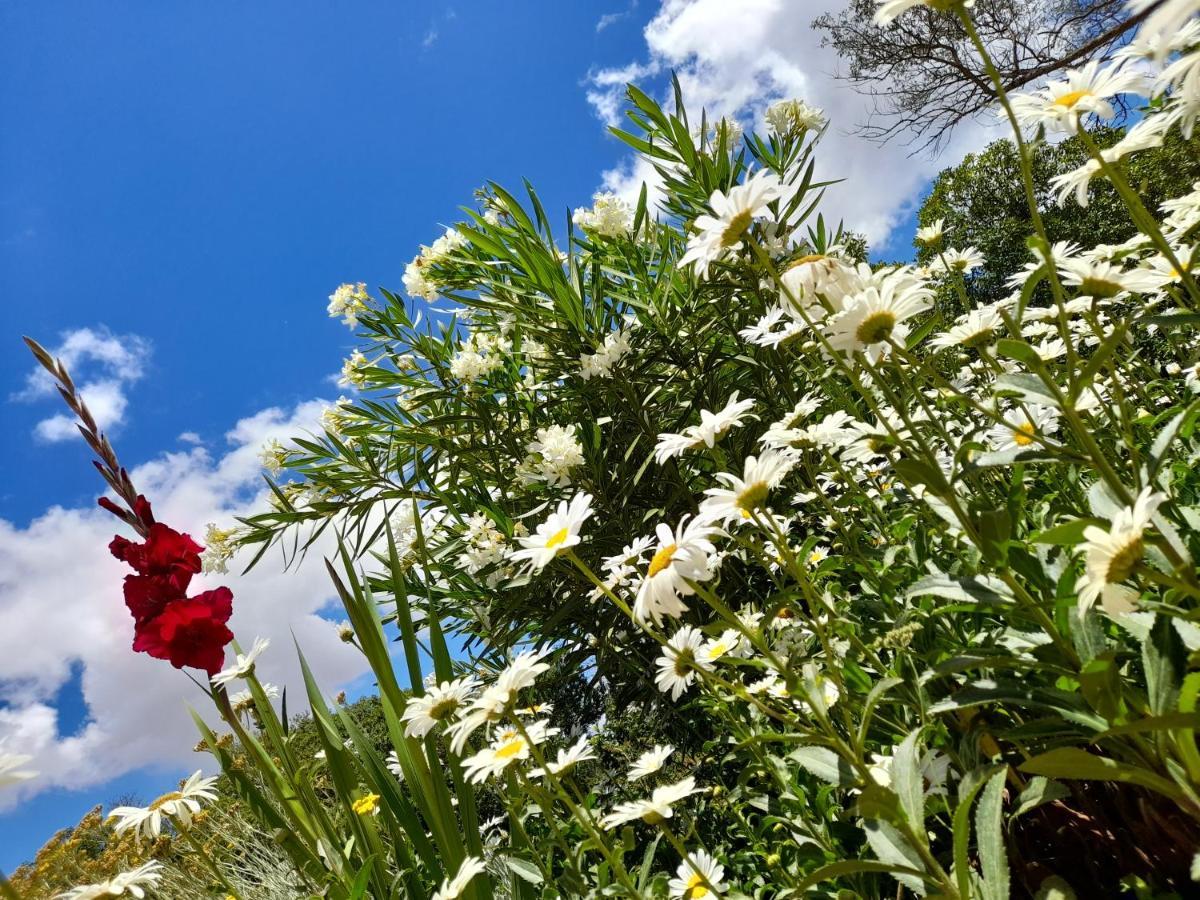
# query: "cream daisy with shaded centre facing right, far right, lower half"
{"points": [[1112, 556]]}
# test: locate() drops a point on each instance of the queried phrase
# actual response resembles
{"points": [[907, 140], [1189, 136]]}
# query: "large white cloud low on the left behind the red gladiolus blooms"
{"points": [[62, 608]]}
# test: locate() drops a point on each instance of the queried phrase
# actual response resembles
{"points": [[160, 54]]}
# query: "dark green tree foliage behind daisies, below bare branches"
{"points": [[983, 202]]}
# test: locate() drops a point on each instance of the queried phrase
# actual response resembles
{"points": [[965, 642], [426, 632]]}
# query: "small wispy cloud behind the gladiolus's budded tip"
{"points": [[104, 365]]}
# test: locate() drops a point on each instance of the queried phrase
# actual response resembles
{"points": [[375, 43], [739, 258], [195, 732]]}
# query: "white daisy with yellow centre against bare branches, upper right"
{"points": [[1084, 92]]}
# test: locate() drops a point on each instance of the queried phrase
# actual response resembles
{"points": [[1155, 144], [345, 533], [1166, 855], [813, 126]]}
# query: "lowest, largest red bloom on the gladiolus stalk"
{"points": [[190, 633]]}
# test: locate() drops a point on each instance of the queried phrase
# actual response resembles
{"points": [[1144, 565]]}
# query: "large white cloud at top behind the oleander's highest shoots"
{"points": [[736, 57]]}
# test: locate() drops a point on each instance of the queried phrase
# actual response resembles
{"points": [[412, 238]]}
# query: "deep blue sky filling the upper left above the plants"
{"points": [[200, 179]]}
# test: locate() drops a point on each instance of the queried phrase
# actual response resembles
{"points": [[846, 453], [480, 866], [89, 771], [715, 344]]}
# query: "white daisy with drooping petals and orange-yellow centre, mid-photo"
{"points": [[681, 556]]}
